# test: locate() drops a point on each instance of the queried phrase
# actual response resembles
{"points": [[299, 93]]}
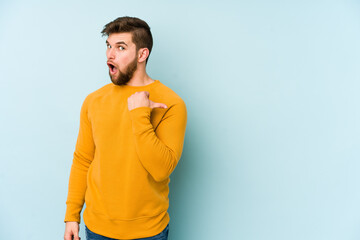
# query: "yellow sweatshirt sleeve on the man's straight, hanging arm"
{"points": [[82, 158]]}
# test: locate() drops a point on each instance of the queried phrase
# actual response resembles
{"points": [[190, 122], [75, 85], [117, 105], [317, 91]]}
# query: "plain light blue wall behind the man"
{"points": [[272, 146]]}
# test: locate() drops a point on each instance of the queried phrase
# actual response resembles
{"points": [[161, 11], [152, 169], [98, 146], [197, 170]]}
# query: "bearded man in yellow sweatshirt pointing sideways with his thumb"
{"points": [[130, 140]]}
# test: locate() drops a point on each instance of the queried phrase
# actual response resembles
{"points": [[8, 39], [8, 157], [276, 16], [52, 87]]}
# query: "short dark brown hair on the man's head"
{"points": [[140, 30]]}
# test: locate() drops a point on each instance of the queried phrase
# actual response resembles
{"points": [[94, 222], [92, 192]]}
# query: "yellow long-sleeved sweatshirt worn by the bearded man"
{"points": [[123, 160]]}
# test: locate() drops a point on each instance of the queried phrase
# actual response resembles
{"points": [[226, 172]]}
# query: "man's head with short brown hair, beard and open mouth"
{"points": [[129, 43]]}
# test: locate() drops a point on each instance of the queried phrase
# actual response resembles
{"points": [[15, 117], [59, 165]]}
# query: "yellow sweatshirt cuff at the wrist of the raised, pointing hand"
{"points": [[140, 118]]}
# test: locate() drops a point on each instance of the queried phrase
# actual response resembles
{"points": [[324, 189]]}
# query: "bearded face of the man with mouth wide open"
{"points": [[121, 57]]}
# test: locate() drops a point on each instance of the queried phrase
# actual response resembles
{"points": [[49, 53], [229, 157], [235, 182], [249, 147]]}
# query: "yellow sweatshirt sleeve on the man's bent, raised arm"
{"points": [[159, 150]]}
